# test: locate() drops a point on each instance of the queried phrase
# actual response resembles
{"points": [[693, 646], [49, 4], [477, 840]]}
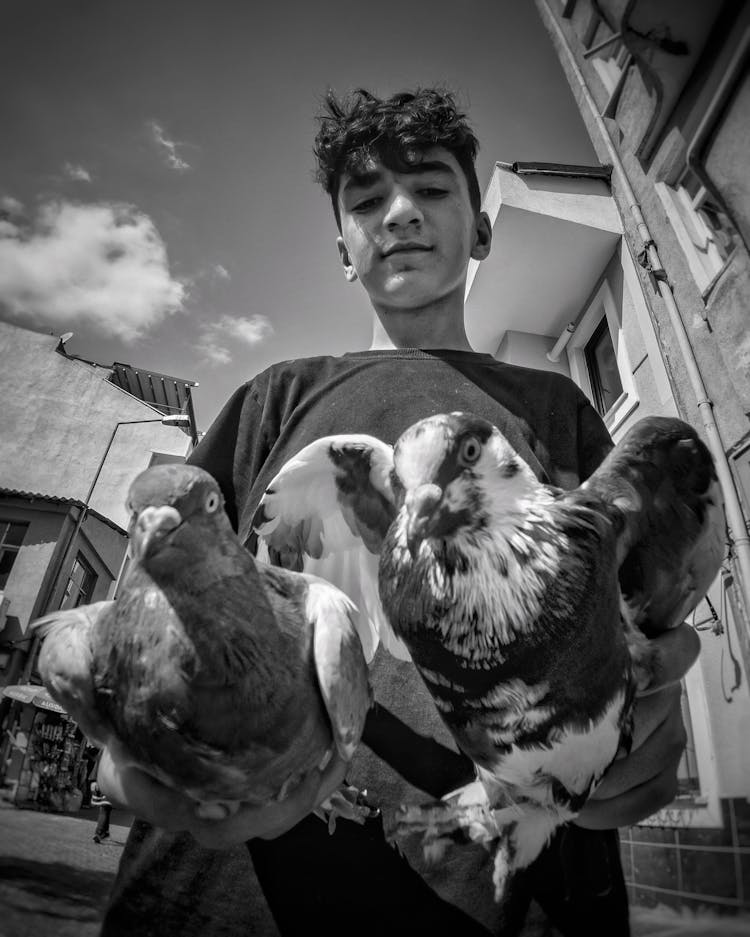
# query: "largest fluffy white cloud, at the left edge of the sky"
{"points": [[102, 265]]}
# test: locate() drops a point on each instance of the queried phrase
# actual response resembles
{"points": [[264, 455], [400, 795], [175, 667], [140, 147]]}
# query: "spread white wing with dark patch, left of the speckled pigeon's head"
{"points": [[326, 513]]}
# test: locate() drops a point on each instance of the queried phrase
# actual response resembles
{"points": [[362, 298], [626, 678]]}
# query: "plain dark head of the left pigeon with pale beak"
{"points": [[172, 508]]}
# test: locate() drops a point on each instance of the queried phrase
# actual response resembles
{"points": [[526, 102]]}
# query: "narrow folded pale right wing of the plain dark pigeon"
{"points": [[339, 663]]}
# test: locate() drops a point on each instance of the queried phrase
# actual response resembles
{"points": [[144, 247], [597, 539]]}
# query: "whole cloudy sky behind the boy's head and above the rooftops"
{"points": [[157, 193]]}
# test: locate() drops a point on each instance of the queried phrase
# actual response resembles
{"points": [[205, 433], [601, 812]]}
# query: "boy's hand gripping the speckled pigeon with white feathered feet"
{"points": [[637, 785]]}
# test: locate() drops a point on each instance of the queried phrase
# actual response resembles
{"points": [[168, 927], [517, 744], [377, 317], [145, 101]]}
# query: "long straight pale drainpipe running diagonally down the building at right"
{"points": [[738, 531]]}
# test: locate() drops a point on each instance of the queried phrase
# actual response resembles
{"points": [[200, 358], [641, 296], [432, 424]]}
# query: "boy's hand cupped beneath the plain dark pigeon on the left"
{"points": [[138, 792]]}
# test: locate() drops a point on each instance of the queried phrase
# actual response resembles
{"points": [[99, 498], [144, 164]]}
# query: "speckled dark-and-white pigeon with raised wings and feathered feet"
{"points": [[525, 608]]}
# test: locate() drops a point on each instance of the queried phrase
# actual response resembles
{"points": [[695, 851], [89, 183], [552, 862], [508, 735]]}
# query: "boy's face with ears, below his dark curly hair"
{"points": [[409, 235]]}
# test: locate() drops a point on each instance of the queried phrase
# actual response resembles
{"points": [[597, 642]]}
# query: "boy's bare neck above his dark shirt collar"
{"points": [[429, 327]]}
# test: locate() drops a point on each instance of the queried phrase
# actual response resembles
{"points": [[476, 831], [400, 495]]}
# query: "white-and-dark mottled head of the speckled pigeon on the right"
{"points": [[456, 471]]}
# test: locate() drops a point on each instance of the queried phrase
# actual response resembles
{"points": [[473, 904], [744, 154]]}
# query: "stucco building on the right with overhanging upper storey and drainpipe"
{"points": [[633, 277]]}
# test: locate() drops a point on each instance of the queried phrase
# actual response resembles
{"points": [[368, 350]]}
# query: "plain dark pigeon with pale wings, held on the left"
{"points": [[224, 678]]}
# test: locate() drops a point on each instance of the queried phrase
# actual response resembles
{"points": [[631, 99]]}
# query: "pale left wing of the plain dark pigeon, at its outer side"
{"points": [[66, 664]]}
